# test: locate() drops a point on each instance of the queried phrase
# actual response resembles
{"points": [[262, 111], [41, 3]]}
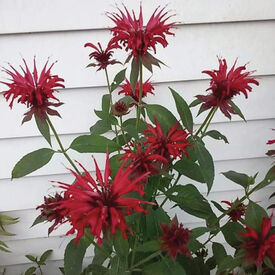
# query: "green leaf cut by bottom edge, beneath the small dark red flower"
{"points": [[164, 267]]}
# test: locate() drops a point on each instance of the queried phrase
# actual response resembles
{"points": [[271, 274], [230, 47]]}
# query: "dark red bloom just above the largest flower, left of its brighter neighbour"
{"points": [[144, 161]]}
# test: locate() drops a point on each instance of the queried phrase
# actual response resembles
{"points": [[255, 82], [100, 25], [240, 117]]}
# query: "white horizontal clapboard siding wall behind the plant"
{"points": [[60, 28]]}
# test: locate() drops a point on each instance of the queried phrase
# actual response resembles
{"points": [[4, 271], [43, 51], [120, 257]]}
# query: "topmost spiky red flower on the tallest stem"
{"points": [[130, 33]]}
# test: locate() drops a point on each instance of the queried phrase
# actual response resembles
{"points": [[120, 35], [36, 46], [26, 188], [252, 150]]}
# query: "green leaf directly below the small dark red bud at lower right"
{"points": [[231, 232]]}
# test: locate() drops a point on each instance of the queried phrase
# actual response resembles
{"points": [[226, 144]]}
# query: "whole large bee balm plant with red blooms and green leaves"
{"points": [[122, 211]]}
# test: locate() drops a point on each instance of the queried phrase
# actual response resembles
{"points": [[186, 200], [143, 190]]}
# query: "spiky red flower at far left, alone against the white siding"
{"points": [[33, 90]]}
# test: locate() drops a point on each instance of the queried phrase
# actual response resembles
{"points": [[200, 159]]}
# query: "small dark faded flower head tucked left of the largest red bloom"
{"points": [[50, 210]]}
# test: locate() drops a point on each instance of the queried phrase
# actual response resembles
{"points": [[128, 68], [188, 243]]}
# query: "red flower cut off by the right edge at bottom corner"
{"points": [[258, 245]]}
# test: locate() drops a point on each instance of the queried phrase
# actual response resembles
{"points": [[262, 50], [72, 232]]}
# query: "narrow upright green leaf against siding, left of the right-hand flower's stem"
{"points": [[183, 110]]}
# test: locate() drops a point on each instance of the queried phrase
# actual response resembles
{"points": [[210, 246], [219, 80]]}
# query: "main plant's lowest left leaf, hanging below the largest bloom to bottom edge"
{"points": [[74, 254]]}
